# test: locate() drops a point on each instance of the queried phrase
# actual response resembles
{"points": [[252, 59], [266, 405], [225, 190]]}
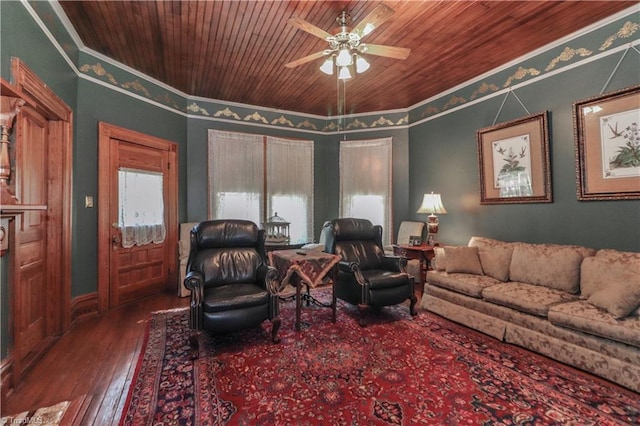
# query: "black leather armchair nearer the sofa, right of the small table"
{"points": [[366, 277]]}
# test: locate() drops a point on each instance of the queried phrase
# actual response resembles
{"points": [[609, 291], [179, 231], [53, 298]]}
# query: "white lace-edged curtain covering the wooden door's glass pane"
{"points": [[141, 207]]}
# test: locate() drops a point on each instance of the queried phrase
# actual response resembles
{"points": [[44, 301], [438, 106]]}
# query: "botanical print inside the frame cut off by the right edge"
{"points": [[620, 144]]}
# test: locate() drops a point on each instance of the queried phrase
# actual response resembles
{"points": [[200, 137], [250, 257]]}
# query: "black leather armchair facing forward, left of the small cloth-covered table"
{"points": [[232, 287]]}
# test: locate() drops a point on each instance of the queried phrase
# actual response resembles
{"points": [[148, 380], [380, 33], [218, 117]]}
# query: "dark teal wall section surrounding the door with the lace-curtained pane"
{"points": [[97, 103]]}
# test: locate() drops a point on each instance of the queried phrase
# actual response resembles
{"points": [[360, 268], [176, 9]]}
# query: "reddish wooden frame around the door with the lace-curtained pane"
{"points": [[106, 132]]}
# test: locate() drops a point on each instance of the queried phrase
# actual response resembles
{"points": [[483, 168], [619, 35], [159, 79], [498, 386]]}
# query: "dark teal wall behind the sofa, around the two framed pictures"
{"points": [[443, 158]]}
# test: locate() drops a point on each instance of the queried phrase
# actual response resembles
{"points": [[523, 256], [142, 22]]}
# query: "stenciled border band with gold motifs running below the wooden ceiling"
{"points": [[601, 39]]}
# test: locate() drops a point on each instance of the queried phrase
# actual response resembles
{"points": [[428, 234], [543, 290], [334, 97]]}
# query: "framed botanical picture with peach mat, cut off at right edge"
{"points": [[607, 146]]}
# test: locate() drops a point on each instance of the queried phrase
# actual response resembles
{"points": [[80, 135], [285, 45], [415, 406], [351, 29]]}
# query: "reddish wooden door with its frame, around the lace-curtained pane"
{"points": [[142, 269]]}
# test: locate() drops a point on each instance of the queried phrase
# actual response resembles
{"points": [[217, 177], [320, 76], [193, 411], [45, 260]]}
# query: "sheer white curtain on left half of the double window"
{"points": [[236, 176]]}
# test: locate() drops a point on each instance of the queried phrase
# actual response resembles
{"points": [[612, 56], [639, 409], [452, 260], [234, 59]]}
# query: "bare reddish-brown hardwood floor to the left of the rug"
{"points": [[96, 358]]}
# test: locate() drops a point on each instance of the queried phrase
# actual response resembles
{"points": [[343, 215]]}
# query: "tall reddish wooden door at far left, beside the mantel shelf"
{"points": [[31, 298]]}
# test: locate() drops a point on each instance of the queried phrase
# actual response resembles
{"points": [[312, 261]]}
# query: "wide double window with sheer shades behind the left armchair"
{"points": [[253, 177]]}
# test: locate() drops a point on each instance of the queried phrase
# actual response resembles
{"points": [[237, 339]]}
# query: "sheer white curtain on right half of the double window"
{"points": [[290, 185]]}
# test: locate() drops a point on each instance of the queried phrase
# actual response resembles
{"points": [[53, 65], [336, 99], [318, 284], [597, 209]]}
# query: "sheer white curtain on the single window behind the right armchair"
{"points": [[366, 181]]}
